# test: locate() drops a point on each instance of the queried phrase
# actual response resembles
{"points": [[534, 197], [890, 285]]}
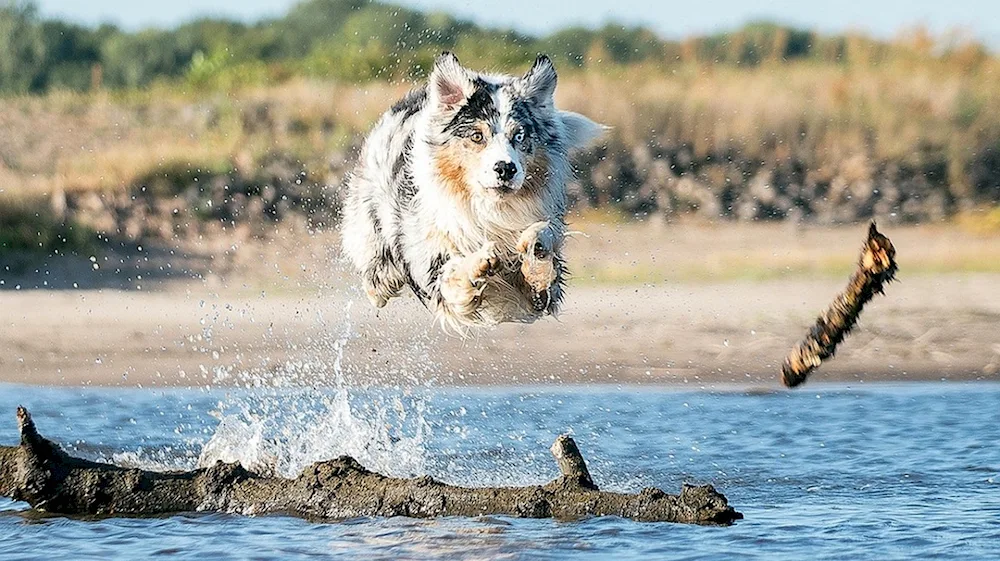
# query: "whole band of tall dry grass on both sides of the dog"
{"points": [[837, 119]]}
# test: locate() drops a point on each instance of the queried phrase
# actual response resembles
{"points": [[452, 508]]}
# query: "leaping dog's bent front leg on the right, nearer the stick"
{"points": [[541, 265]]}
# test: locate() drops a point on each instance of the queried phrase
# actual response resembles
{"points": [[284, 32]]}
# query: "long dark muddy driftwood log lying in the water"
{"points": [[47, 478]]}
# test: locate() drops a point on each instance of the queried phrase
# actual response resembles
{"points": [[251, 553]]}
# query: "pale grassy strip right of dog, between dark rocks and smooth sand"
{"points": [[641, 253]]}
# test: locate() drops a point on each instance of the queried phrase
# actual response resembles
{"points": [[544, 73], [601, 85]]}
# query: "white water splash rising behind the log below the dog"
{"points": [[279, 429]]}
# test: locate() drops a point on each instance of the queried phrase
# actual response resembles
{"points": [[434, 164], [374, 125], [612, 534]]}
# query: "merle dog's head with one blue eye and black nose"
{"points": [[498, 135]]}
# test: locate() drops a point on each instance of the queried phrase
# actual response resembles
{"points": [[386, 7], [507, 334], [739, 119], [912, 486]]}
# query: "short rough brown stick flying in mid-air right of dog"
{"points": [[876, 268]]}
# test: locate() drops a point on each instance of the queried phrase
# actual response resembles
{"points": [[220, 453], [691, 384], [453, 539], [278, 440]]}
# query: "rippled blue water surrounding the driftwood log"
{"points": [[827, 472]]}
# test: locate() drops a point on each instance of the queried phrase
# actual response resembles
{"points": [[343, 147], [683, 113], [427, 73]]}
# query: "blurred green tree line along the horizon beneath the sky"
{"points": [[359, 40]]}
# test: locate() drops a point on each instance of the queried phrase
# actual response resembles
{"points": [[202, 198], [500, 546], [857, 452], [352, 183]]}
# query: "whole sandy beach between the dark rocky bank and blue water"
{"points": [[695, 306]]}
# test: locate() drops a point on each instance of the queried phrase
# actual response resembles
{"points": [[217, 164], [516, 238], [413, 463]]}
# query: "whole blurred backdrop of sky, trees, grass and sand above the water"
{"points": [[171, 175]]}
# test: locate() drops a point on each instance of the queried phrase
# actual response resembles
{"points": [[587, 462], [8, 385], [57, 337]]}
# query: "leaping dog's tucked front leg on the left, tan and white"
{"points": [[463, 280]]}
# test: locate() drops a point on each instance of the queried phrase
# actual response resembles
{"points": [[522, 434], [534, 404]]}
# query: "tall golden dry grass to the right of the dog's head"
{"points": [[837, 114]]}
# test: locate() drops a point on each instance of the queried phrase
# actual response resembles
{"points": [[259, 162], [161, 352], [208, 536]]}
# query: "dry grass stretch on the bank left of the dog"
{"points": [[105, 141]]}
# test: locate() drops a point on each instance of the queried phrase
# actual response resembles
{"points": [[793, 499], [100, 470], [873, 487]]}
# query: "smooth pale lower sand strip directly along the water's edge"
{"points": [[679, 334]]}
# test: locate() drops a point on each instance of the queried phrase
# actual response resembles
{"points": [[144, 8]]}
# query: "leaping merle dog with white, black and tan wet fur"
{"points": [[460, 194]]}
